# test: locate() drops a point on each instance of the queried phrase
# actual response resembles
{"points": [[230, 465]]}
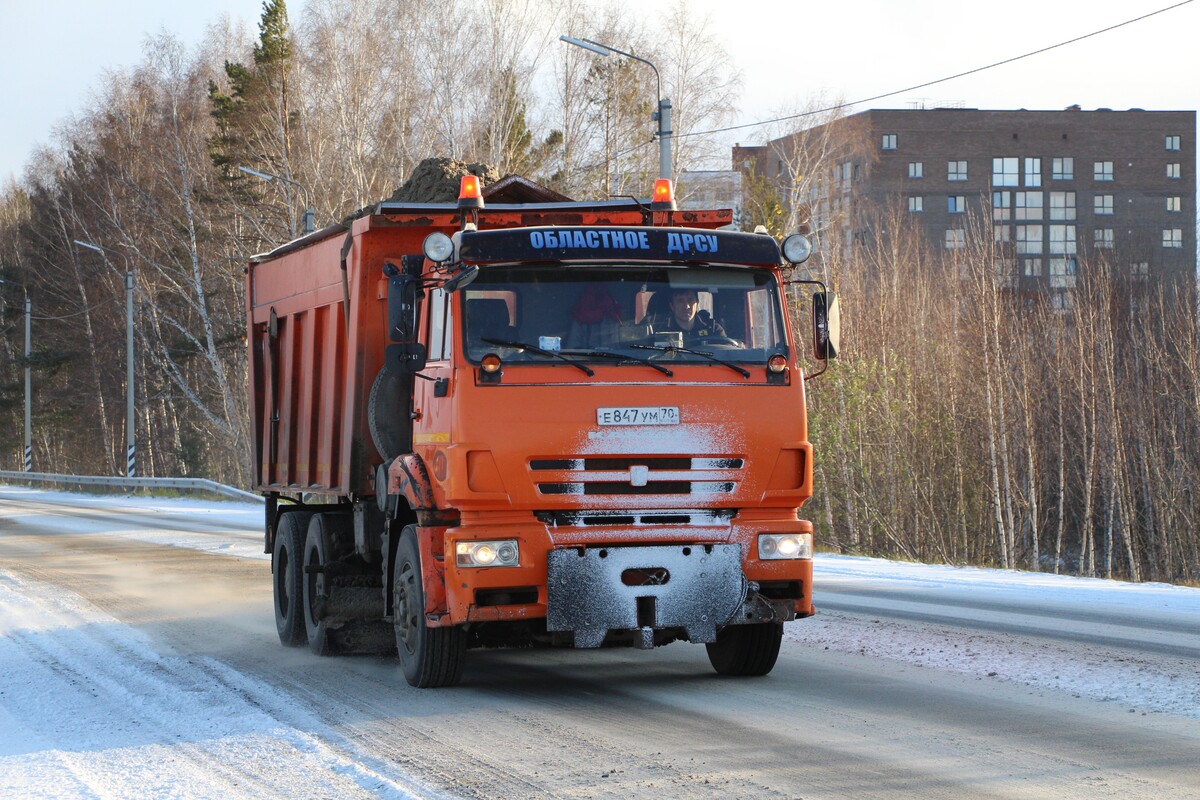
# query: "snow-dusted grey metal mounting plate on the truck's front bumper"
{"points": [[698, 588]]}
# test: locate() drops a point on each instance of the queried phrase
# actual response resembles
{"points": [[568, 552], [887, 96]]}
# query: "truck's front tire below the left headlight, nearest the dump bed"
{"points": [[430, 657]]}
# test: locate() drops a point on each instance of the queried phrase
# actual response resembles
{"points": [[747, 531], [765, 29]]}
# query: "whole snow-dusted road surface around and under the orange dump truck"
{"points": [[140, 660]]}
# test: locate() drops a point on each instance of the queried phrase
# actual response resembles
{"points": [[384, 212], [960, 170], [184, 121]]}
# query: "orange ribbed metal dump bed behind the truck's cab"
{"points": [[317, 312]]}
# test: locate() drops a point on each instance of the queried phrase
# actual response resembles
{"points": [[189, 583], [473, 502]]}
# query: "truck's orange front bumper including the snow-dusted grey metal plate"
{"points": [[575, 579]]}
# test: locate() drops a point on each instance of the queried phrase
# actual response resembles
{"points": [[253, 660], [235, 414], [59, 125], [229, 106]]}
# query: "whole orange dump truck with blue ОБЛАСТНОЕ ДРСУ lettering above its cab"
{"points": [[533, 424]]}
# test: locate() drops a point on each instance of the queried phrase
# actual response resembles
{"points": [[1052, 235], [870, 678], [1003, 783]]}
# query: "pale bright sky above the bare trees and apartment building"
{"points": [[53, 55]]}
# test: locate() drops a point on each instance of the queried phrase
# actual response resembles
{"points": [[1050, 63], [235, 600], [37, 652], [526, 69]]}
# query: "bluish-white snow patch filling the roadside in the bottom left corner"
{"points": [[91, 709]]}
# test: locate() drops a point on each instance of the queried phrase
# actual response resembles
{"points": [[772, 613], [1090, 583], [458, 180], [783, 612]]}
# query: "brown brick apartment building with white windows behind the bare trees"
{"points": [[1060, 189]]}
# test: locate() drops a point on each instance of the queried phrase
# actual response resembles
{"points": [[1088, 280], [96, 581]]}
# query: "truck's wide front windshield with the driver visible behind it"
{"points": [[597, 312]]}
